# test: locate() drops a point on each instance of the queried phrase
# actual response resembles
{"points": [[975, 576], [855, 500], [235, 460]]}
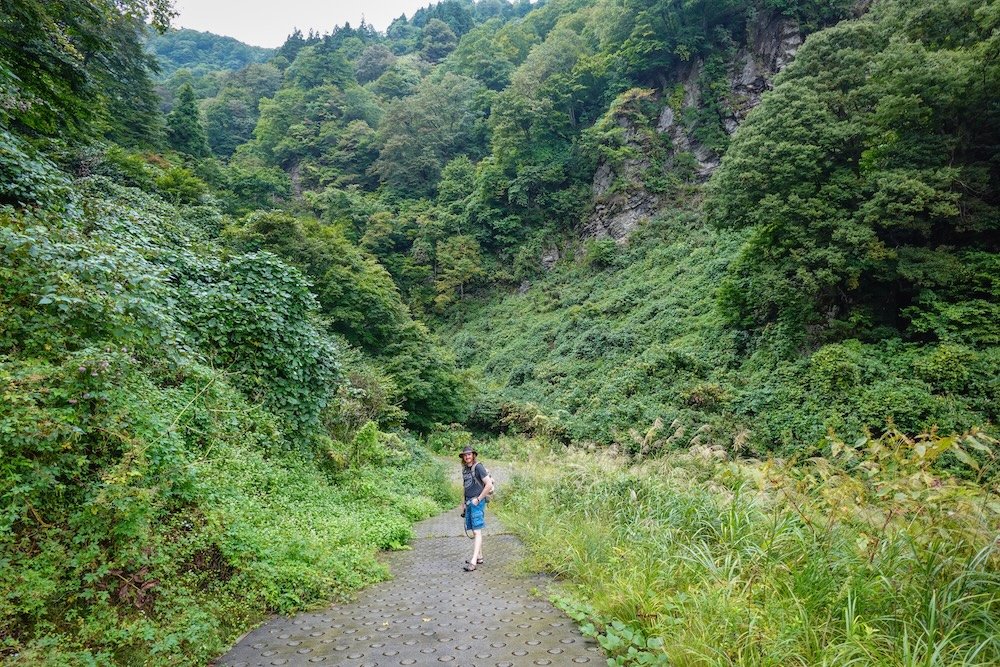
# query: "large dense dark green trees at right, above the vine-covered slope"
{"points": [[875, 187]]}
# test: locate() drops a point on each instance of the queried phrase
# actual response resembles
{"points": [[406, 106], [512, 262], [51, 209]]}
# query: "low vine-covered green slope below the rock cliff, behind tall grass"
{"points": [[604, 349]]}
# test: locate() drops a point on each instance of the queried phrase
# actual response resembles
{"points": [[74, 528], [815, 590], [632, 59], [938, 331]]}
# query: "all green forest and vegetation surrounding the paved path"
{"points": [[243, 292]]}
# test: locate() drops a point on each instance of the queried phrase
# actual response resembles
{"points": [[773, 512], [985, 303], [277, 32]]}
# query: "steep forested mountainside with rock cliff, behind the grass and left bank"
{"points": [[830, 260]]}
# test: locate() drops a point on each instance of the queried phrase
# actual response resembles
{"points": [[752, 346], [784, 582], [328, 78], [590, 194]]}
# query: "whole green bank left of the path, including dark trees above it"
{"points": [[188, 442]]}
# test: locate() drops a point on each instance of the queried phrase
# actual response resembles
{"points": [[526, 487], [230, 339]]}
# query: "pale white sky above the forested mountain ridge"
{"points": [[268, 22]]}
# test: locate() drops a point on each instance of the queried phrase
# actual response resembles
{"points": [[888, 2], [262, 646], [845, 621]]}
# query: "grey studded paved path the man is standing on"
{"points": [[430, 613]]}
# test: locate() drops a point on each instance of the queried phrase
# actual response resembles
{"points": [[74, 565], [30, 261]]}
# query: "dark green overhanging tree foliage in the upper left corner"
{"points": [[75, 68]]}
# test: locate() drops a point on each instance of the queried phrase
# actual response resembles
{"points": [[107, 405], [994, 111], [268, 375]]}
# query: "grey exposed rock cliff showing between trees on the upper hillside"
{"points": [[772, 43]]}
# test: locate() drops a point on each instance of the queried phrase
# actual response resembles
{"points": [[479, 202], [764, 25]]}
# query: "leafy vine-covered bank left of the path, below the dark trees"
{"points": [[160, 425]]}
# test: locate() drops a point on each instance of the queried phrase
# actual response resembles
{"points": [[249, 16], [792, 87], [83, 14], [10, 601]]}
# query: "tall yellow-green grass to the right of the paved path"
{"points": [[690, 560]]}
